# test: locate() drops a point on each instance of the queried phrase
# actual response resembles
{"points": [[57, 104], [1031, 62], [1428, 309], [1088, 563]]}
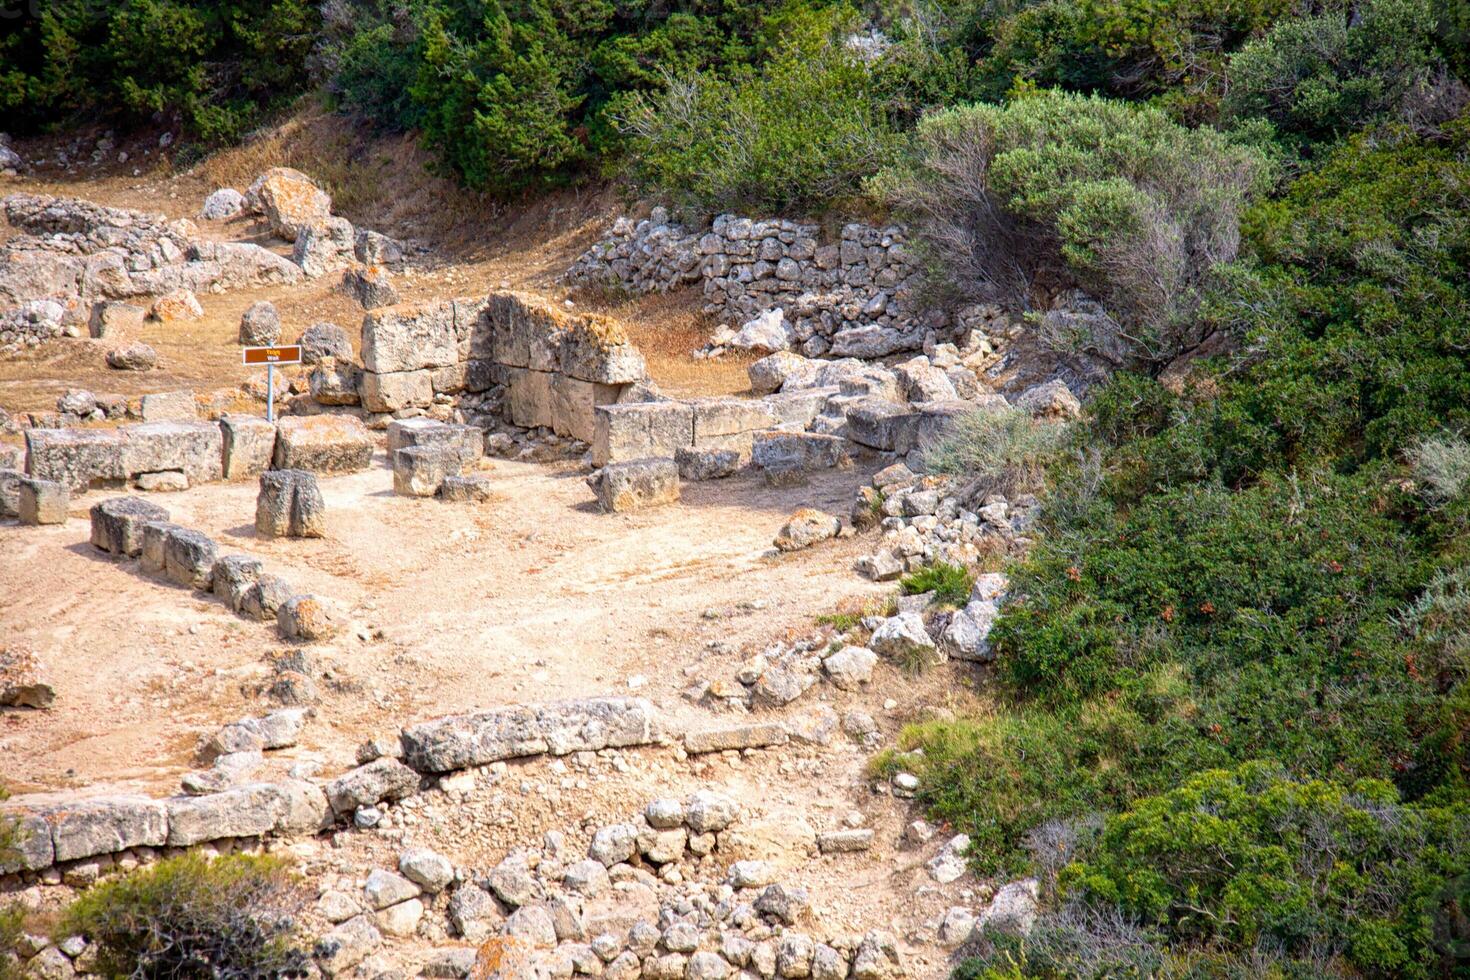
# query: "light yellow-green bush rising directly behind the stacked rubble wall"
{"points": [[793, 136]]}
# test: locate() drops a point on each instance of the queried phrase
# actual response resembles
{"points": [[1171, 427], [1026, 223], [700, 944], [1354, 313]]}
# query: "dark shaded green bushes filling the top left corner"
{"points": [[212, 65]]}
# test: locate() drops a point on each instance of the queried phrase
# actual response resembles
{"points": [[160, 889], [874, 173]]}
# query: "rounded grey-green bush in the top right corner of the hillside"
{"points": [[1324, 77]]}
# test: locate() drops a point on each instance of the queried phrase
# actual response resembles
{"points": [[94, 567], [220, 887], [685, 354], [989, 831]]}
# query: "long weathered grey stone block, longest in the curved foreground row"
{"points": [[517, 731]]}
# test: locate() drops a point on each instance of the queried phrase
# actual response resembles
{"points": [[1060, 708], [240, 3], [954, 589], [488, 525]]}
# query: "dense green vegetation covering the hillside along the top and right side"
{"points": [[1231, 724]]}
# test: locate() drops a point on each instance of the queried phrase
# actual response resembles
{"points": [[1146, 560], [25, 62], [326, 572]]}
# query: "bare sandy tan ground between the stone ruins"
{"points": [[527, 599]]}
